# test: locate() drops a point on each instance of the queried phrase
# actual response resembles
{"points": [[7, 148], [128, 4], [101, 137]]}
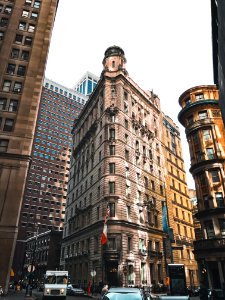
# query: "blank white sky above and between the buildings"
{"points": [[167, 45]]}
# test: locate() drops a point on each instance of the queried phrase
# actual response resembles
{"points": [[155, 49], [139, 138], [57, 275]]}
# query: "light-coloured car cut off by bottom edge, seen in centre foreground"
{"points": [[124, 293]]}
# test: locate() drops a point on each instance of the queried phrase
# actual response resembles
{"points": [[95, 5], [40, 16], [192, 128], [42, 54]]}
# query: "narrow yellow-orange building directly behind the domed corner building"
{"points": [[180, 208]]}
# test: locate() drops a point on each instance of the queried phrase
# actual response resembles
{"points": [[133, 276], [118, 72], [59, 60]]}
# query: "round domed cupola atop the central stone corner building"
{"points": [[114, 60]]}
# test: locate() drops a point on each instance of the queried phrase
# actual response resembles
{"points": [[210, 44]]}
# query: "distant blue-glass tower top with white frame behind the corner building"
{"points": [[86, 84]]}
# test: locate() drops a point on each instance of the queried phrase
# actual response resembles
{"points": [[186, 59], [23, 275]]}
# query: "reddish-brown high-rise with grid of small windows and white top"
{"points": [[46, 186]]}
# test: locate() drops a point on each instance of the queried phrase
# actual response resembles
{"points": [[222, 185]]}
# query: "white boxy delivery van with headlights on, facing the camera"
{"points": [[55, 284]]}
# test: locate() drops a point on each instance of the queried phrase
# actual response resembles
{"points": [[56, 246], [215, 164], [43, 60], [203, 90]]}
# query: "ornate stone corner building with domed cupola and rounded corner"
{"points": [[117, 159]]}
